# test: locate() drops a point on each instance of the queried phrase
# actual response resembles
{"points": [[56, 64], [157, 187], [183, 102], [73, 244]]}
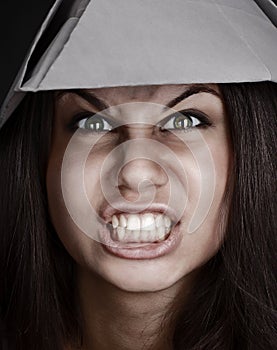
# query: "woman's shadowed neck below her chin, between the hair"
{"points": [[121, 320]]}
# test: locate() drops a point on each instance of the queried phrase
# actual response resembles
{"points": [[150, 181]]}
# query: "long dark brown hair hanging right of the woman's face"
{"points": [[234, 304]]}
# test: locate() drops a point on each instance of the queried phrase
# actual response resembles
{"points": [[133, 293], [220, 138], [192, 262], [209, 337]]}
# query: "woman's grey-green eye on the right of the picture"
{"points": [[184, 121]]}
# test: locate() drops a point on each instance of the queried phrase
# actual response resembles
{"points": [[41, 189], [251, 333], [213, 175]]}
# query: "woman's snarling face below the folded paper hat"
{"points": [[136, 197]]}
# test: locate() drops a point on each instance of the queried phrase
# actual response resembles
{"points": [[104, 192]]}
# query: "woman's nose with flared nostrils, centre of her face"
{"points": [[141, 170]]}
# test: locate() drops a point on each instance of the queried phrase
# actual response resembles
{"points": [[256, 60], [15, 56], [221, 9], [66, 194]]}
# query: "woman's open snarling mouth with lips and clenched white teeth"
{"points": [[145, 235]]}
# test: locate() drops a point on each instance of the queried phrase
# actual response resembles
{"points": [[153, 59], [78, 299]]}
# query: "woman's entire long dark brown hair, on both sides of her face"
{"points": [[234, 303]]}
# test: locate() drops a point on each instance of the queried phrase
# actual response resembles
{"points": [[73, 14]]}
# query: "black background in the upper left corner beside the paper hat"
{"points": [[20, 20]]}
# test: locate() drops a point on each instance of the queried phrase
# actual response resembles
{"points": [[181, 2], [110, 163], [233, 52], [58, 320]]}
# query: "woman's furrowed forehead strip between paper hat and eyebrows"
{"points": [[153, 93]]}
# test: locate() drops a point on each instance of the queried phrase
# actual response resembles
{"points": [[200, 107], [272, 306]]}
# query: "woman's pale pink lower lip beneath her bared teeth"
{"points": [[141, 251]]}
